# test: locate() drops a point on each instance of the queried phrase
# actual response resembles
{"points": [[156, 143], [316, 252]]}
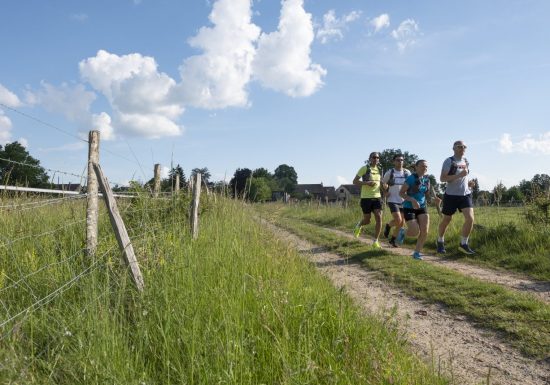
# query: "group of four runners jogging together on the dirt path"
{"points": [[407, 194]]}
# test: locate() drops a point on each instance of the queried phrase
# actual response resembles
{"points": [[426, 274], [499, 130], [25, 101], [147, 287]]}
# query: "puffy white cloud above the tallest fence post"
{"points": [[140, 96]]}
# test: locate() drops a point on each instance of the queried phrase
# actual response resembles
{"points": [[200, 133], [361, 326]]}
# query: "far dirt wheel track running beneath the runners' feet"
{"points": [[539, 289]]}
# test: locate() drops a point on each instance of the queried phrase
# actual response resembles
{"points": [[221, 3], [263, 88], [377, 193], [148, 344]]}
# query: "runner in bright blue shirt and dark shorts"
{"points": [[414, 192]]}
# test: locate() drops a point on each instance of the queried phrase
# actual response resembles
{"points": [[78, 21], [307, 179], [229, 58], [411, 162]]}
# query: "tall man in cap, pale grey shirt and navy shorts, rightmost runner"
{"points": [[458, 196]]}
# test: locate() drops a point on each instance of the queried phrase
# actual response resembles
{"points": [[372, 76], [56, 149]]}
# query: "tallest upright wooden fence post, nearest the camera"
{"points": [[92, 212]]}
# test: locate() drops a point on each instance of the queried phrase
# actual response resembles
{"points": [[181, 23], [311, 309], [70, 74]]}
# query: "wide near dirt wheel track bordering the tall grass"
{"points": [[451, 344]]}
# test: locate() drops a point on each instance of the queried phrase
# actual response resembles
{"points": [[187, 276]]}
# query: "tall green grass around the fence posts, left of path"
{"points": [[236, 306]]}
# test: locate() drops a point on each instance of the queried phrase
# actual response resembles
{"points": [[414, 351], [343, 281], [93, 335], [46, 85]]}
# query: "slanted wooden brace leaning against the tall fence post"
{"points": [[119, 228]]}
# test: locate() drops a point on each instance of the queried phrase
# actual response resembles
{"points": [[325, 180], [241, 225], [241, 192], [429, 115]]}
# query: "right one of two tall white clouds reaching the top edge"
{"points": [[283, 59]]}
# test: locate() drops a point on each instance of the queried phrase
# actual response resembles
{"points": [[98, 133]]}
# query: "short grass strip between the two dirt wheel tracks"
{"points": [[524, 319]]}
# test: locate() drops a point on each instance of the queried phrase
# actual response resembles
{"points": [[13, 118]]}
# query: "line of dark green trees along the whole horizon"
{"points": [[19, 168]]}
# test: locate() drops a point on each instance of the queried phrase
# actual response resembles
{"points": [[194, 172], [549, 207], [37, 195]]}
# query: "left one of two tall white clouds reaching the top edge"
{"points": [[218, 77]]}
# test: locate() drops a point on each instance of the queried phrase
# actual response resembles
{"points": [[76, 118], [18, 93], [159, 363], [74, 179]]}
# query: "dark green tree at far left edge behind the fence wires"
{"points": [[18, 167]]}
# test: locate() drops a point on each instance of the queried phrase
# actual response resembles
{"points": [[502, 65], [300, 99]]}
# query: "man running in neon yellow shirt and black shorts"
{"points": [[368, 177]]}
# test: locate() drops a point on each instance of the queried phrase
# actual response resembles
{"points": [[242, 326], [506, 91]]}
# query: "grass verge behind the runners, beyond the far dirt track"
{"points": [[502, 237]]}
